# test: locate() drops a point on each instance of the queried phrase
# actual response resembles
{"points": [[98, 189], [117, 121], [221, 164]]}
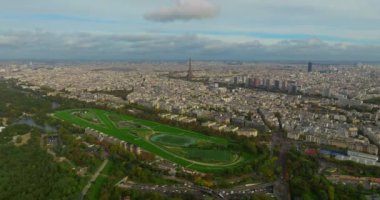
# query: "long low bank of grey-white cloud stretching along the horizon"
{"points": [[47, 45]]}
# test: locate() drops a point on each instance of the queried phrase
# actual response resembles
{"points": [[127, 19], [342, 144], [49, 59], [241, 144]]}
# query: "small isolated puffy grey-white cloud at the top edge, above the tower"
{"points": [[184, 10]]}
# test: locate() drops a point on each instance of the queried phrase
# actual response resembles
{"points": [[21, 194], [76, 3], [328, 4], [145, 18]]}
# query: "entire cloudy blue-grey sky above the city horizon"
{"points": [[336, 30]]}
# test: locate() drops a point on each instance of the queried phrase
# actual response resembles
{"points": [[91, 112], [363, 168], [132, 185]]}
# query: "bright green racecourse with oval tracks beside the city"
{"points": [[187, 148]]}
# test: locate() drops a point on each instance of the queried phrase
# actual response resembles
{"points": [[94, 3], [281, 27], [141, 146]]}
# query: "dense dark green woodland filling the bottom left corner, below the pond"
{"points": [[28, 172]]}
